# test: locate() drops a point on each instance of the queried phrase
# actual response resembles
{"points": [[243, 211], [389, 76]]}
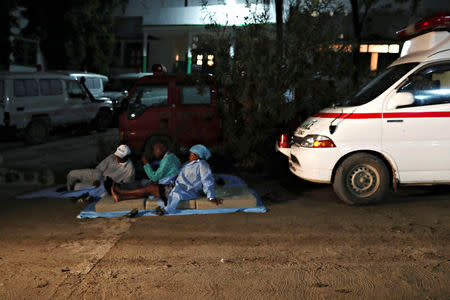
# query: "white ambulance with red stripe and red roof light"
{"points": [[396, 130]]}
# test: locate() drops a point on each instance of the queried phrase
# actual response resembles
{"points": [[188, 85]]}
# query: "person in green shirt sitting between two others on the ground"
{"points": [[169, 166]]}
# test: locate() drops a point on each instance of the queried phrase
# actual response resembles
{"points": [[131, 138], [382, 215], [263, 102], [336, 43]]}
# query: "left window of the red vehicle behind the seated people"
{"points": [[150, 95]]}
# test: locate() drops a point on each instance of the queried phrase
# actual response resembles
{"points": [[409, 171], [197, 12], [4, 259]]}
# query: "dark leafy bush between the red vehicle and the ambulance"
{"points": [[256, 78]]}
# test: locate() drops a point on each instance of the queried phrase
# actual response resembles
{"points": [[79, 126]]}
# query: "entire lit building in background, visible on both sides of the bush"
{"points": [[166, 31]]}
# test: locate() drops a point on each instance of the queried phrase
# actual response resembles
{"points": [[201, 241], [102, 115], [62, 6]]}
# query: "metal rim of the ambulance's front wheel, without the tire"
{"points": [[363, 180]]}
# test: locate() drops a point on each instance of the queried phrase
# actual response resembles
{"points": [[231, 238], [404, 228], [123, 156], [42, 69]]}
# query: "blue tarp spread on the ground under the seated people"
{"points": [[89, 211]]}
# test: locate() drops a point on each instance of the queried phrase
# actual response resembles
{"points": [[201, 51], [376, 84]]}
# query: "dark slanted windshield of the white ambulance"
{"points": [[379, 84]]}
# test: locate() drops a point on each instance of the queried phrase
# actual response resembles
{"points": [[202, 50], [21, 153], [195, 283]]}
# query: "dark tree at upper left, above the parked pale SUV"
{"points": [[74, 33]]}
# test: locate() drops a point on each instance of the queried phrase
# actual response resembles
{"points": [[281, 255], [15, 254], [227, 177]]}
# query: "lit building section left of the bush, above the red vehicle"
{"points": [[166, 31]]}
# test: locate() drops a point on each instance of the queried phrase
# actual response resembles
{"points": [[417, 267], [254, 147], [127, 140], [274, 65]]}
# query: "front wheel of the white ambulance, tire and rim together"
{"points": [[361, 179]]}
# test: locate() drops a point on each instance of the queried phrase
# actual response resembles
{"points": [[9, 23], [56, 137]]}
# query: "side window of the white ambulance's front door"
{"points": [[430, 86]]}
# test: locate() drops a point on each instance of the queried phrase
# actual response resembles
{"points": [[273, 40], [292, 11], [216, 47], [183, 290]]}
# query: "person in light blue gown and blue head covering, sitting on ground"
{"points": [[195, 177]]}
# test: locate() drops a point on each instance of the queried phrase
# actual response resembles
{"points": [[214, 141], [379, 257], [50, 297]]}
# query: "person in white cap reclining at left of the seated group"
{"points": [[117, 166]]}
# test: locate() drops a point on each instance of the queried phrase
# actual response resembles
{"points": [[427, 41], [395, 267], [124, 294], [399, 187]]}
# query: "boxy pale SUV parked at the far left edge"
{"points": [[33, 103]]}
